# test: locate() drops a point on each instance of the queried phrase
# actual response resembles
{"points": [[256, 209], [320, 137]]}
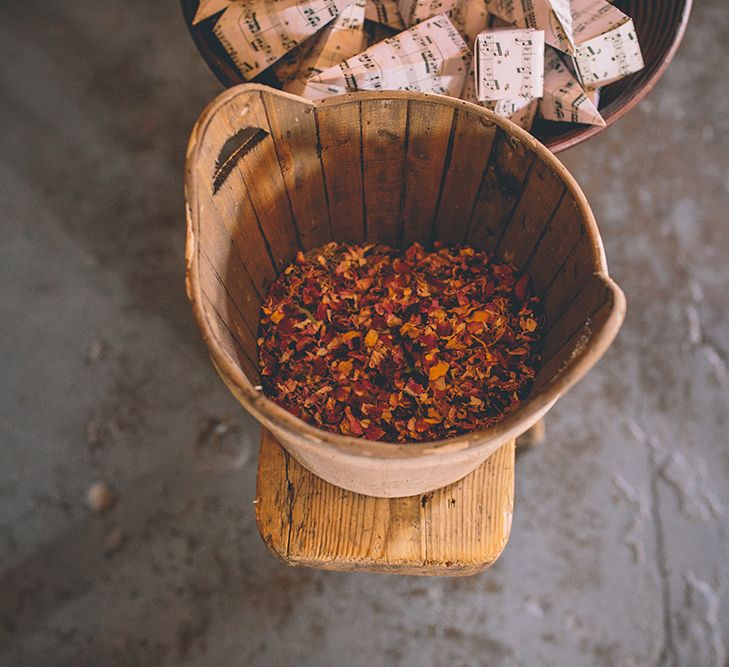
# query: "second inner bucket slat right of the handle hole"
{"points": [[341, 157]]}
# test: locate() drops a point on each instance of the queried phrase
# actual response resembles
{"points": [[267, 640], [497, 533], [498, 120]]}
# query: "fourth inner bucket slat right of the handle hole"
{"points": [[426, 153]]}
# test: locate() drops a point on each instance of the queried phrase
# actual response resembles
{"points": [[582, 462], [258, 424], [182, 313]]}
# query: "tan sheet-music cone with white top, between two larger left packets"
{"points": [[342, 38]]}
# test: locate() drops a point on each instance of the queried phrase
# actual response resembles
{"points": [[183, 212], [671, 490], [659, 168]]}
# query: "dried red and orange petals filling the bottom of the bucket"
{"points": [[399, 345]]}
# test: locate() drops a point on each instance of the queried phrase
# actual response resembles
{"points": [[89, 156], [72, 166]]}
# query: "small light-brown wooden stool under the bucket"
{"points": [[458, 530]]}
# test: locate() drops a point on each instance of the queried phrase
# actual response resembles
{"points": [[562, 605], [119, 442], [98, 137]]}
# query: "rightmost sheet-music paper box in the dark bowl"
{"points": [[607, 45]]}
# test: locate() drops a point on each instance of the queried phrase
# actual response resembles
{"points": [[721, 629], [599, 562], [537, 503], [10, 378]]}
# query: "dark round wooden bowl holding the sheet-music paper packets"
{"points": [[660, 25]]}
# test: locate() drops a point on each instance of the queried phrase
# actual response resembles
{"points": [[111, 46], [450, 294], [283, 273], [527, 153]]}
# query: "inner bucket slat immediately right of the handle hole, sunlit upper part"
{"points": [[293, 128]]}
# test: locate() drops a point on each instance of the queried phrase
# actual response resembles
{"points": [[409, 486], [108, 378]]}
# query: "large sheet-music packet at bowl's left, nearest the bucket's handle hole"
{"points": [[257, 33]]}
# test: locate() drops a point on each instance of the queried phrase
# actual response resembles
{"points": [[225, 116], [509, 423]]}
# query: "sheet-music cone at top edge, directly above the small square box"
{"points": [[552, 16]]}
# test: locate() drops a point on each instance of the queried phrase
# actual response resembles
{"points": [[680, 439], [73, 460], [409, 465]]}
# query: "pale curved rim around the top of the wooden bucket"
{"points": [[277, 418]]}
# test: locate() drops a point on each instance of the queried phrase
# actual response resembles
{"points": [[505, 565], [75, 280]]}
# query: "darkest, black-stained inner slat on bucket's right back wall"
{"points": [[499, 192]]}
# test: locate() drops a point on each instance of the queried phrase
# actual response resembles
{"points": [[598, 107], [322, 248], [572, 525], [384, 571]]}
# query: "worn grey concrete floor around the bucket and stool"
{"points": [[619, 552]]}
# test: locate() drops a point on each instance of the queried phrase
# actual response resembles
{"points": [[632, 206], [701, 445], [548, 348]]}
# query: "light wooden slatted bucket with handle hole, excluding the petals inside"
{"points": [[269, 174]]}
